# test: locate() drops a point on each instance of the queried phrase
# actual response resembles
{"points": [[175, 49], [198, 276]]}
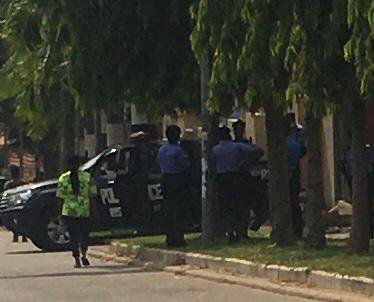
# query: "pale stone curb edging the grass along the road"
{"points": [[279, 279]]}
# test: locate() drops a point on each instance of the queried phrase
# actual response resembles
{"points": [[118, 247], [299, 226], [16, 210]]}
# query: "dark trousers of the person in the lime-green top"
{"points": [[79, 229]]}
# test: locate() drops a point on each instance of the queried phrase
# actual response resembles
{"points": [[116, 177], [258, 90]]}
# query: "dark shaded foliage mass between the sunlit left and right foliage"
{"points": [[137, 50]]}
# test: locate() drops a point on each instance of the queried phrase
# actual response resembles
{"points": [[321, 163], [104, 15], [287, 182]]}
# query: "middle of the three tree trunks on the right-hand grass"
{"points": [[315, 205]]}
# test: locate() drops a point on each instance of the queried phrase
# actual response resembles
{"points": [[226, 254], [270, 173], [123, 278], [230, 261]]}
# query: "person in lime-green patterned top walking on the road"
{"points": [[76, 191]]}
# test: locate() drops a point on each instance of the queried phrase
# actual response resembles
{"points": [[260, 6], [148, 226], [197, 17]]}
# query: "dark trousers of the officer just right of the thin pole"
{"points": [[231, 202]]}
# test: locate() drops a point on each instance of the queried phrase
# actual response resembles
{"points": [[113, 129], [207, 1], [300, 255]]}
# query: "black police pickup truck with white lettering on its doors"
{"points": [[130, 196]]}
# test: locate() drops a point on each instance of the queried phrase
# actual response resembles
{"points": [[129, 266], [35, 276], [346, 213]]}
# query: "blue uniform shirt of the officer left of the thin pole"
{"points": [[172, 158]]}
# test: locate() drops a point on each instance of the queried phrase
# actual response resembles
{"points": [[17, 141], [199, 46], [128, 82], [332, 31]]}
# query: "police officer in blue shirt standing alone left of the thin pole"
{"points": [[174, 164]]}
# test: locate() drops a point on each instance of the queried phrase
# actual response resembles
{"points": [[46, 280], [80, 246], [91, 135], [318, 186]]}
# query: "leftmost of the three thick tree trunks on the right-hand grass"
{"points": [[279, 191]]}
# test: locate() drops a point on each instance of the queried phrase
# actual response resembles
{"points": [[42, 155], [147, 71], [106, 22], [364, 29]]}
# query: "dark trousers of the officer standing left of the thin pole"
{"points": [[175, 190]]}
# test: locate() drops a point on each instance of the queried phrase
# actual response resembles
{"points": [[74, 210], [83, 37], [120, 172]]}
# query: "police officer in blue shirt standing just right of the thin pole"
{"points": [[228, 157]]}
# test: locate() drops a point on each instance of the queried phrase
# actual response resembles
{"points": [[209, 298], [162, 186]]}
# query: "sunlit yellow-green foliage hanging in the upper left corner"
{"points": [[34, 73]]}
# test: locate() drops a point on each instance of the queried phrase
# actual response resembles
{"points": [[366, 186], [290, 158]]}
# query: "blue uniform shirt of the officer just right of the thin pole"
{"points": [[229, 156]]}
